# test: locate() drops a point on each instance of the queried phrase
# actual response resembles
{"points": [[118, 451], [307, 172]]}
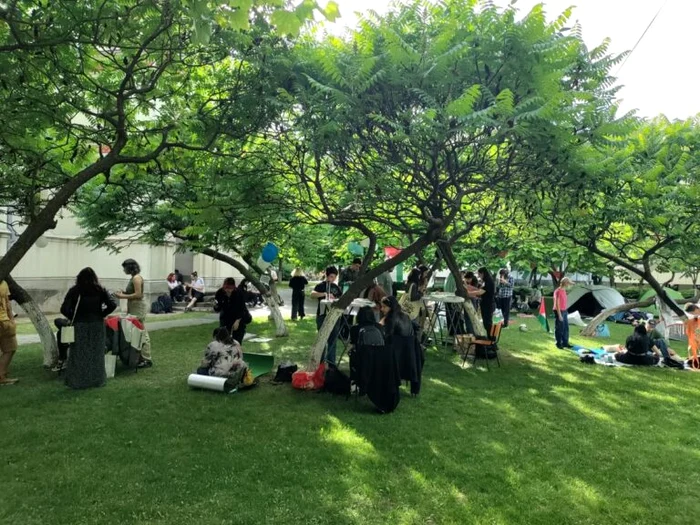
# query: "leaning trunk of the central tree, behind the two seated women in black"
{"points": [[360, 284]]}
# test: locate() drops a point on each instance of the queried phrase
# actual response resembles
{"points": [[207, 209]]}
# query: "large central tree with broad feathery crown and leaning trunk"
{"points": [[425, 119]]}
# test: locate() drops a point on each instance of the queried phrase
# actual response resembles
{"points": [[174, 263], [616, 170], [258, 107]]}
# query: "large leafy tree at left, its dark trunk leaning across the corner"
{"points": [[92, 88]]}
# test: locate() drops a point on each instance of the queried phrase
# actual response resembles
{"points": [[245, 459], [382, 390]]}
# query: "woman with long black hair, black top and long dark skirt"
{"points": [[86, 305]]}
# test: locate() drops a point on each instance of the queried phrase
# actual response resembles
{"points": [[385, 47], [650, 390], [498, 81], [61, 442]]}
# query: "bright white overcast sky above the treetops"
{"points": [[661, 76]]}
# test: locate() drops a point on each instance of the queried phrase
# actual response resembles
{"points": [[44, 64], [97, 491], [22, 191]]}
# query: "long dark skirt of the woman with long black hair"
{"points": [[86, 360]]}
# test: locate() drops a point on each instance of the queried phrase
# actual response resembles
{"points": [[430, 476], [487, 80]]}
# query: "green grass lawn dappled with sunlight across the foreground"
{"points": [[544, 439]]}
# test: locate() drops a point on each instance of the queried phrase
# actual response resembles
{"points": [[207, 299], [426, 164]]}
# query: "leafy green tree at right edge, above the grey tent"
{"points": [[637, 201]]}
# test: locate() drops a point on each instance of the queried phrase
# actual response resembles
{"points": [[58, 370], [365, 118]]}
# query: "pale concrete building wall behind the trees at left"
{"points": [[47, 273]]}
